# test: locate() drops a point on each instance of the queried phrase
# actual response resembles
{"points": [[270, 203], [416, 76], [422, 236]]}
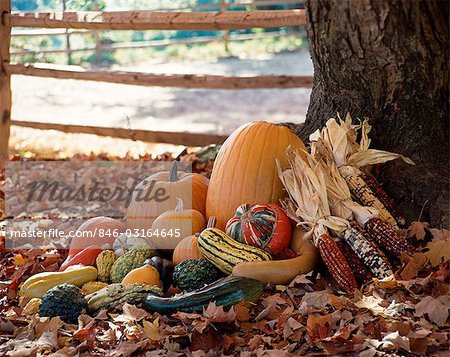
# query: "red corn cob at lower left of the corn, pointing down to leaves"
{"points": [[336, 263]]}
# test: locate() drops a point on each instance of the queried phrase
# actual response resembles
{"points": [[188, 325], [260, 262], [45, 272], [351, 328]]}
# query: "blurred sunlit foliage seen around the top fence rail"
{"points": [[29, 49]]}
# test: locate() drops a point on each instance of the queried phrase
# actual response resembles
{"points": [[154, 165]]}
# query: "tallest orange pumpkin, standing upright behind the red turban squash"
{"points": [[245, 170]]}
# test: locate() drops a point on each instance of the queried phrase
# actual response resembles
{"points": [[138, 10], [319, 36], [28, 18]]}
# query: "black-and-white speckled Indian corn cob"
{"points": [[368, 253]]}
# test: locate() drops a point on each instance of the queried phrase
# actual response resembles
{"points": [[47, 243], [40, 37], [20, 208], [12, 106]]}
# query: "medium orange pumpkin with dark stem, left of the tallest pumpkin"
{"points": [[190, 187]]}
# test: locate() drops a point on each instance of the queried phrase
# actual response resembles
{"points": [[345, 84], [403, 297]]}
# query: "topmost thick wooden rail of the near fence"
{"points": [[149, 20]]}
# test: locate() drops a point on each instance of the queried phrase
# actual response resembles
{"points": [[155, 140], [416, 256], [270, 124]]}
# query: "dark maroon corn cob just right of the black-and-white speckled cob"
{"points": [[387, 239]]}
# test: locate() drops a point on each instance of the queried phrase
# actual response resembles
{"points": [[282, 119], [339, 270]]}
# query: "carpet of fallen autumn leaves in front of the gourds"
{"points": [[406, 315]]}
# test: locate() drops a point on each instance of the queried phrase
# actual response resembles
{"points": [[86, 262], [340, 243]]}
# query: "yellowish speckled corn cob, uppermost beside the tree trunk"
{"points": [[364, 195]]}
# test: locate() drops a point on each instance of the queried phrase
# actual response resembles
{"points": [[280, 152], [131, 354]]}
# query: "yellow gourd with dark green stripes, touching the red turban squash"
{"points": [[224, 252]]}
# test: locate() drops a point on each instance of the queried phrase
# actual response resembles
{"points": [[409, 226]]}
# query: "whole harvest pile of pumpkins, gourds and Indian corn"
{"points": [[273, 211]]}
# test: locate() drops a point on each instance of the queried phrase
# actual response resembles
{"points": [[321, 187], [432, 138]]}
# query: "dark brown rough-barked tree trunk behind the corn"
{"points": [[388, 61]]}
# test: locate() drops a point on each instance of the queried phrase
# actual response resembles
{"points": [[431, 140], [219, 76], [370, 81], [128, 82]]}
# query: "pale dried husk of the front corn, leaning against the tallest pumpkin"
{"points": [[308, 202]]}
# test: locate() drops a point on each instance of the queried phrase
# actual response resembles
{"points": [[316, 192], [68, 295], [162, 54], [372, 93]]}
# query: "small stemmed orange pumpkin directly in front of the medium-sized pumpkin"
{"points": [[172, 226]]}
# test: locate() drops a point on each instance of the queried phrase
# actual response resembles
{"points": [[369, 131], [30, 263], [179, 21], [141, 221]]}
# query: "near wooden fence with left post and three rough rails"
{"points": [[132, 20]]}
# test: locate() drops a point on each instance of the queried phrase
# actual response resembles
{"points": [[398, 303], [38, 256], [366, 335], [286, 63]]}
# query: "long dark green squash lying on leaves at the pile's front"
{"points": [[225, 292]]}
